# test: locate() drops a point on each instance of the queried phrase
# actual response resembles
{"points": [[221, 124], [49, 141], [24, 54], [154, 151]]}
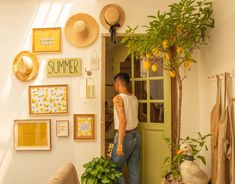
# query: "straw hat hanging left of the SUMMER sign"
{"points": [[25, 66]]}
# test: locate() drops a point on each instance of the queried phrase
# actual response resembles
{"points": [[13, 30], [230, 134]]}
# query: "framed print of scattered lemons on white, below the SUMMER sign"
{"points": [[48, 99]]}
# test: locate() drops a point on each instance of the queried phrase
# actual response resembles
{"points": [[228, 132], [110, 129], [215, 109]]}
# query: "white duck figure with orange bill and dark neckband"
{"points": [[189, 170]]}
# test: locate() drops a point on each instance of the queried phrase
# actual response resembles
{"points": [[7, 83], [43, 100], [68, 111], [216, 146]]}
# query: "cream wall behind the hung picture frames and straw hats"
{"points": [[16, 19]]}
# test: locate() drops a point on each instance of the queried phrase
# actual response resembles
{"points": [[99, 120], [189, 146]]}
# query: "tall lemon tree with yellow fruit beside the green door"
{"points": [[171, 37]]}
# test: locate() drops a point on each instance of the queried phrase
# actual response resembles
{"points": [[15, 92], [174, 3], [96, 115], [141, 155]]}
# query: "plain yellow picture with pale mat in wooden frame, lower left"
{"points": [[32, 134]]}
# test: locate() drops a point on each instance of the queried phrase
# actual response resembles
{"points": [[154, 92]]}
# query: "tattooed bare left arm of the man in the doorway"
{"points": [[119, 106]]}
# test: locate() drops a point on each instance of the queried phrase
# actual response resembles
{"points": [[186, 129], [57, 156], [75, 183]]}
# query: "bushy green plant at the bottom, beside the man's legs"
{"points": [[100, 171]]}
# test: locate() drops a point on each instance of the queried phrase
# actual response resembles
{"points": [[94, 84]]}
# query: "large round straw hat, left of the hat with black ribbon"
{"points": [[81, 30]]}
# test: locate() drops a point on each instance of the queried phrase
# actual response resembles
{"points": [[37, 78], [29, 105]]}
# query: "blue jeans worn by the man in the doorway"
{"points": [[131, 149]]}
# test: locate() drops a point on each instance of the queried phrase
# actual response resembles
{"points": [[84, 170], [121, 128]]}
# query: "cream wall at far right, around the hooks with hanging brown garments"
{"points": [[217, 57]]}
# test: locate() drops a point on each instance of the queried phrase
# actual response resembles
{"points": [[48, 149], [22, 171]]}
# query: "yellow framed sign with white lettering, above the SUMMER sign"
{"points": [[46, 39]]}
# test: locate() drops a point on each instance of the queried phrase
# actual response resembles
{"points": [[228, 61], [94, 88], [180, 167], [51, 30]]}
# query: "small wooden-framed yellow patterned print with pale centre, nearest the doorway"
{"points": [[84, 126]]}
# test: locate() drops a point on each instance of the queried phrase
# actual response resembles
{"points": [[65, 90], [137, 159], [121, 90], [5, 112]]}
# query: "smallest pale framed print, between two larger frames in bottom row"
{"points": [[62, 128]]}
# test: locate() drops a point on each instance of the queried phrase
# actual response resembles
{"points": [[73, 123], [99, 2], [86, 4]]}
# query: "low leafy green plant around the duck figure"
{"points": [[172, 166]]}
